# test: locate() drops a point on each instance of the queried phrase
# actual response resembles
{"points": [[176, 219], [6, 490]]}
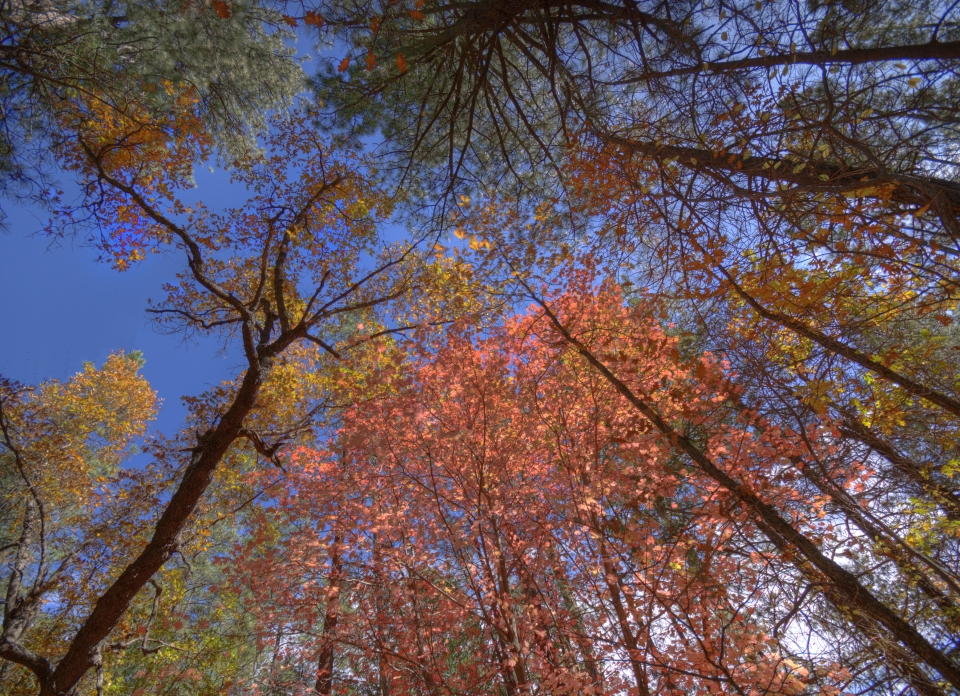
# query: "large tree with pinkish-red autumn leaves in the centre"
{"points": [[498, 518]]}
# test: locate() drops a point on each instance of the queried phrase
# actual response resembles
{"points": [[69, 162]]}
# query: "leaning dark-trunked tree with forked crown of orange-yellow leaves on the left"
{"points": [[288, 274]]}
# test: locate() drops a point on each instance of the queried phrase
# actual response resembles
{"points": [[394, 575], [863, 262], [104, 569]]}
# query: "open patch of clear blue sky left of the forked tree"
{"points": [[62, 307]]}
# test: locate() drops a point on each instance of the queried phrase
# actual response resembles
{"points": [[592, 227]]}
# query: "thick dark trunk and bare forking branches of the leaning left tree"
{"points": [[261, 345]]}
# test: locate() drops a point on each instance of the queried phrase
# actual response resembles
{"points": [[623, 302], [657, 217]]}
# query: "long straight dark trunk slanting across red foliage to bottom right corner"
{"points": [[846, 591]]}
